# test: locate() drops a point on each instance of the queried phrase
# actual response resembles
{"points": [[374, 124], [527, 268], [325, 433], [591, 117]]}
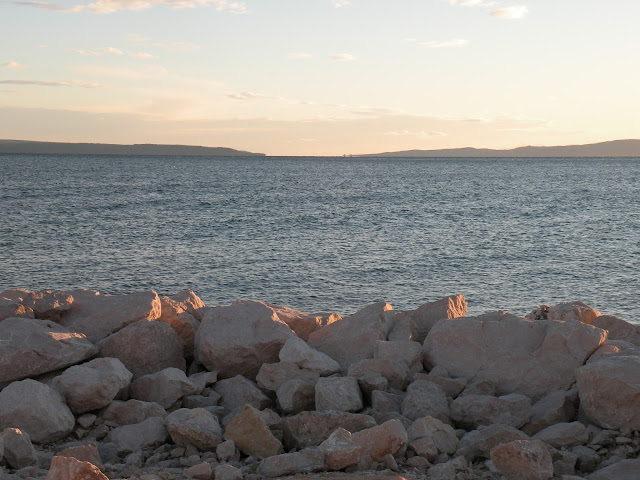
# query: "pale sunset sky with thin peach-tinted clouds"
{"points": [[320, 77]]}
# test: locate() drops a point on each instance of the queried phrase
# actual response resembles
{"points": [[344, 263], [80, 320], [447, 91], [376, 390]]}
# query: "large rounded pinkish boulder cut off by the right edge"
{"points": [[609, 391]]}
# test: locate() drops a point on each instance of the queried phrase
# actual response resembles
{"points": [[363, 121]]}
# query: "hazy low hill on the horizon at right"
{"points": [[615, 148]]}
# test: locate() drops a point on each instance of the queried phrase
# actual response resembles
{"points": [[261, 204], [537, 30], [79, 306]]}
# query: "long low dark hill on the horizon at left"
{"points": [[25, 146]]}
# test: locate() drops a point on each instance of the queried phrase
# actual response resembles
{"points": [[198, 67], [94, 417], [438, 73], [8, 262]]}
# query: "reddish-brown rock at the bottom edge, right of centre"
{"points": [[523, 460]]}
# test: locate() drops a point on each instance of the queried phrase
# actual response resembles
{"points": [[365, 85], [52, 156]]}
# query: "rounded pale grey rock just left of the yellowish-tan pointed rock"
{"points": [[195, 427]]}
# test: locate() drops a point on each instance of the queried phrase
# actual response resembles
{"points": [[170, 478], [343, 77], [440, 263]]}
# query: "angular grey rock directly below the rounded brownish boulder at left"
{"points": [[164, 388]]}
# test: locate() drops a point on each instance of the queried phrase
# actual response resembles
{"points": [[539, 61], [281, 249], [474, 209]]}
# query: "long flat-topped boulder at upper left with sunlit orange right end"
{"points": [[98, 316]]}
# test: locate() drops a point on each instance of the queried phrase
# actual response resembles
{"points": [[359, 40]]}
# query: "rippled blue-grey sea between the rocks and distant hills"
{"points": [[327, 233]]}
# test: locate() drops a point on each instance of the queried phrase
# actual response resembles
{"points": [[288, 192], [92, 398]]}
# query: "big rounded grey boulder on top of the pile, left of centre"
{"points": [[239, 338]]}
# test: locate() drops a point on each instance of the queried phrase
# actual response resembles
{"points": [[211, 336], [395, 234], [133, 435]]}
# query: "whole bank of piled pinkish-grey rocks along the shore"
{"points": [[163, 388]]}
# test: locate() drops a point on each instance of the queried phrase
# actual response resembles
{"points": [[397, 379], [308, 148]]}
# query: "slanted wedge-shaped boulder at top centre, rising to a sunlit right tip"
{"points": [[354, 338]]}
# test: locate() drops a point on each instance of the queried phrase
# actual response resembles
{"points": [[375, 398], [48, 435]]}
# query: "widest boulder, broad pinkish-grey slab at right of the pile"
{"points": [[517, 356]]}
